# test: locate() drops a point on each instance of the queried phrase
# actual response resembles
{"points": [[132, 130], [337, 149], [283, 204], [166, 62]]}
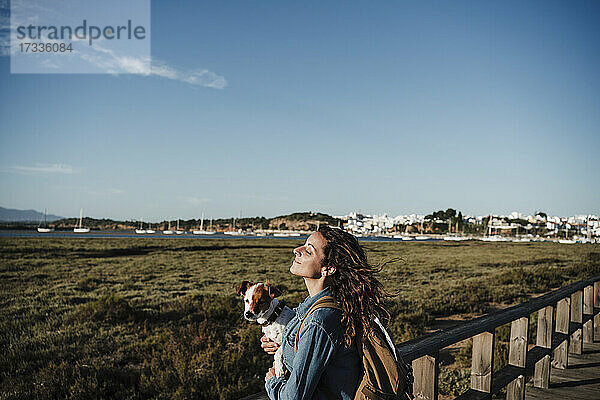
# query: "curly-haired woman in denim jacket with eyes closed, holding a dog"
{"points": [[326, 364]]}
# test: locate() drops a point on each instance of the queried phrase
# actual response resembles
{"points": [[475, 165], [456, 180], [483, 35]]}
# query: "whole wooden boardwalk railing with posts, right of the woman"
{"points": [[567, 318]]}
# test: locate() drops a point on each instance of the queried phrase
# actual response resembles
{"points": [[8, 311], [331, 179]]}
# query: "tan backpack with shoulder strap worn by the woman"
{"points": [[385, 375]]}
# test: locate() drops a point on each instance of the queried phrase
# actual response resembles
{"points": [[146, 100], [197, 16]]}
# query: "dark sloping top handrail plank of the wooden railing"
{"points": [[431, 343]]}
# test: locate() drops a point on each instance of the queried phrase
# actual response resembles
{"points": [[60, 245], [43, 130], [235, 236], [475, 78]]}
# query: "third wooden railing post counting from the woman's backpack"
{"points": [[517, 355]]}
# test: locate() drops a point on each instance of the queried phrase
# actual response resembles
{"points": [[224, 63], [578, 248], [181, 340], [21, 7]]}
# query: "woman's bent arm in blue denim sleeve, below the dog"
{"points": [[315, 349]]}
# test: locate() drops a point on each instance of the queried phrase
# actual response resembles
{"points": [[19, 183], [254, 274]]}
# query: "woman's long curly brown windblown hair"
{"points": [[354, 284]]}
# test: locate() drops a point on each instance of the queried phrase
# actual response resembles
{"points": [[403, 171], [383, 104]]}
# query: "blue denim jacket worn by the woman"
{"points": [[324, 368]]}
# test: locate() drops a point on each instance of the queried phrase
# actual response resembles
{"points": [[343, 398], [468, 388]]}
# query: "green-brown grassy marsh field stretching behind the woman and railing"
{"points": [[158, 318]]}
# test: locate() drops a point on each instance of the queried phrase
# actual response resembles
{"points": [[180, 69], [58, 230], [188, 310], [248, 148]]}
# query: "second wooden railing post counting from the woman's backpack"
{"points": [[482, 362]]}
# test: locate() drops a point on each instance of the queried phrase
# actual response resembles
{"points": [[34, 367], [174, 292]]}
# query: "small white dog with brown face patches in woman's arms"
{"points": [[260, 305]]}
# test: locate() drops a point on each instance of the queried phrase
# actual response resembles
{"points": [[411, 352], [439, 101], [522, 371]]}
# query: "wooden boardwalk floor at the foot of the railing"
{"points": [[581, 380]]}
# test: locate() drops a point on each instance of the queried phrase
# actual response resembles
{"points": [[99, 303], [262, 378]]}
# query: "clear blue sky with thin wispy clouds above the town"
{"points": [[272, 107]]}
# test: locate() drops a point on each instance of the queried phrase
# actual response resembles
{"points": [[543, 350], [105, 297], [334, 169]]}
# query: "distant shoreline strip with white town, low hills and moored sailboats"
{"points": [[448, 224]]}
